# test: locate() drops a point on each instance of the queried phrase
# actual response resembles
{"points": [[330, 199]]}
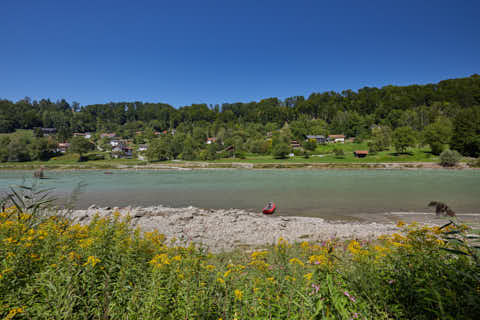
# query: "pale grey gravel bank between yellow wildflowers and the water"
{"points": [[226, 229]]}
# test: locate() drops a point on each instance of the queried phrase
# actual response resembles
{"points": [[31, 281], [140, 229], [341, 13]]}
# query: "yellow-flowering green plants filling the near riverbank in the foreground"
{"points": [[51, 268]]}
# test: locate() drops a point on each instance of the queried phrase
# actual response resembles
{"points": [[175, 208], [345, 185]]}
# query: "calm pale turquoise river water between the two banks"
{"points": [[325, 193]]}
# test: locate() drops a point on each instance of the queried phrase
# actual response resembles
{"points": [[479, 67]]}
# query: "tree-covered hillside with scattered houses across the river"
{"points": [[393, 119]]}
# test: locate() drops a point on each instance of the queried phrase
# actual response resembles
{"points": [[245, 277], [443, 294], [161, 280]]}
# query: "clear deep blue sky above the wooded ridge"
{"points": [[183, 52]]}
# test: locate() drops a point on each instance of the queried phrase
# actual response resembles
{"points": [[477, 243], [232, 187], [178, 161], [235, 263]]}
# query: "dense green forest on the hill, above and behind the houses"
{"points": [[441, 114]]}
